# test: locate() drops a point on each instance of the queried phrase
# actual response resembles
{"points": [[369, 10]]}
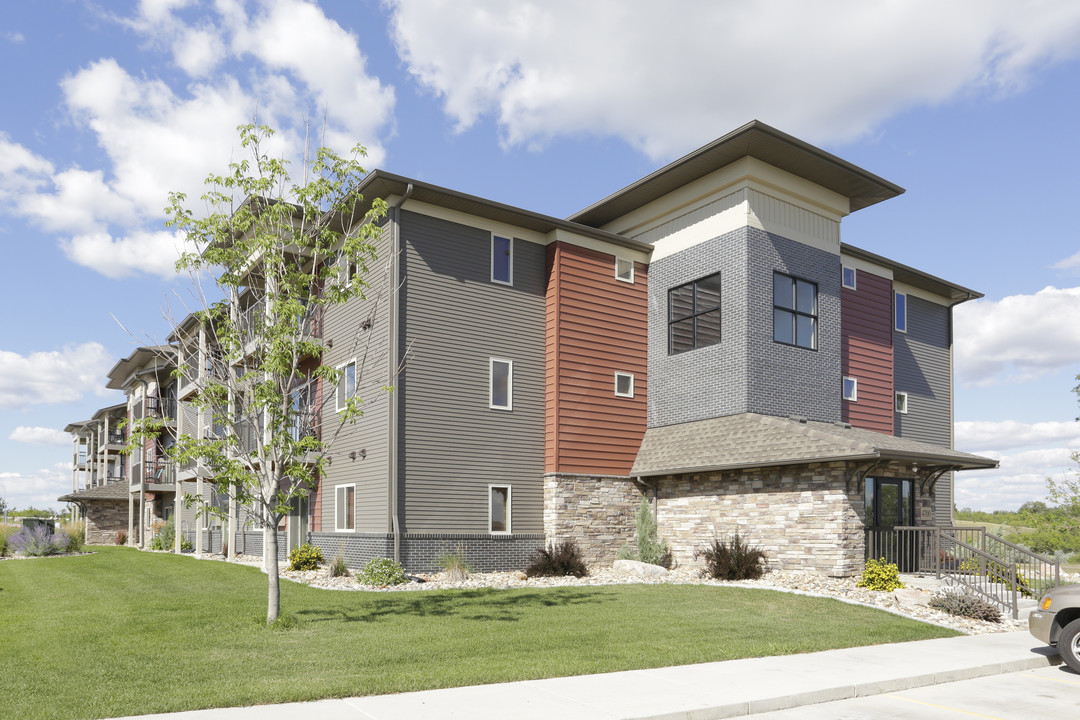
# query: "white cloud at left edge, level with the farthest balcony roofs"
{"points": [[48, 378]]}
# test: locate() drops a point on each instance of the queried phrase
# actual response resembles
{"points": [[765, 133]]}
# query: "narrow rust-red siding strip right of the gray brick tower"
{"points": [[867, 351]]}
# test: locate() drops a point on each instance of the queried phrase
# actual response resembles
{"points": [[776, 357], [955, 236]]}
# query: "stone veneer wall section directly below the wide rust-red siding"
{"points": [[595, 511]]}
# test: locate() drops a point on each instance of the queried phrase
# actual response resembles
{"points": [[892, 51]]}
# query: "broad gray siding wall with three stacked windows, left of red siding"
{"points": [[452, 445]]}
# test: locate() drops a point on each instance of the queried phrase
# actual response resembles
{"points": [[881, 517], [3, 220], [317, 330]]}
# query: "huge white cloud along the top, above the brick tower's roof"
{"points": [[827, 72]]}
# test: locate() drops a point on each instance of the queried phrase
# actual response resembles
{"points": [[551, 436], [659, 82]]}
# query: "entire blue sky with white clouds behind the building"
{"points": [[549, 106]]}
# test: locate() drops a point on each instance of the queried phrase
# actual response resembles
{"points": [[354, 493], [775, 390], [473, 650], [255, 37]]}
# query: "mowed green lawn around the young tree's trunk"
{"points": [[123, 633]]}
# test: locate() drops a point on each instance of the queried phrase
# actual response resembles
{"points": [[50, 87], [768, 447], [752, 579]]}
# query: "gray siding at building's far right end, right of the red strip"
{"points": [[924, 371]]}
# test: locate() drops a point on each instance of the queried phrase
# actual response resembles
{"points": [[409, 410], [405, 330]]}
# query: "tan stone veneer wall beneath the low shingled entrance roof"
{"points": [[805, 518]]}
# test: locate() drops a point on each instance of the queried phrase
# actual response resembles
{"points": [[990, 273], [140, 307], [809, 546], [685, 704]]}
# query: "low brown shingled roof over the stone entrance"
{"points": [[757, 441]]}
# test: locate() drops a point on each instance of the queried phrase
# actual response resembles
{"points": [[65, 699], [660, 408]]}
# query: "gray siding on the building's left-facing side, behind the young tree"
{"points": [[344, 327]]}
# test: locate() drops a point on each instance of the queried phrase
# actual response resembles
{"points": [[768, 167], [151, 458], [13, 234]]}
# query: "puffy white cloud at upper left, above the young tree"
{"points": [[159, 139]]}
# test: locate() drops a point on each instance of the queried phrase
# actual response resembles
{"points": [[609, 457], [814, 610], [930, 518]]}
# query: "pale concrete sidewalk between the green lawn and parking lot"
{"points": [[691, 692]]}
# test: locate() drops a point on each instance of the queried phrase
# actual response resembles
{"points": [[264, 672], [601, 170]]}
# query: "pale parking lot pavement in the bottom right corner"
{"points": [[1047, 694]]}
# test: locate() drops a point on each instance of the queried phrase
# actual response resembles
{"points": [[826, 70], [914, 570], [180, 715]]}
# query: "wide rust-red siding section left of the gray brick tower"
{"points": [[596, 327]]}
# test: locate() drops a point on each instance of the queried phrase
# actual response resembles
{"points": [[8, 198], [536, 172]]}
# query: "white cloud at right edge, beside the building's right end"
{"points": [[1018, 338]]}
